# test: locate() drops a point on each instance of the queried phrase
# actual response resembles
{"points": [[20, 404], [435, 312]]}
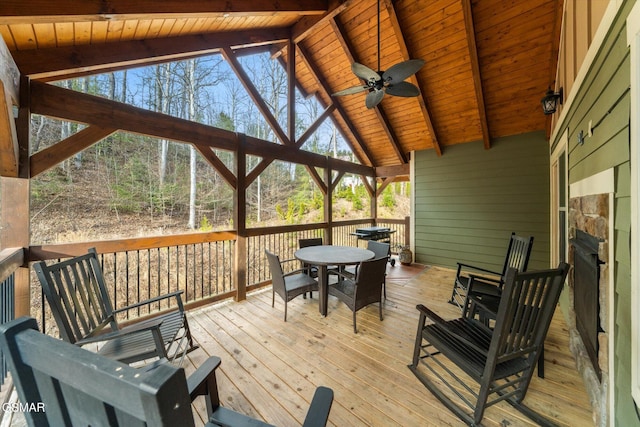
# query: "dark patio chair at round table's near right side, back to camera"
{"points": [[364, 290]]}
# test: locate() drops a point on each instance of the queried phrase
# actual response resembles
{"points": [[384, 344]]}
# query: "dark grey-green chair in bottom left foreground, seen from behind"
{"points": [[66, 385]]}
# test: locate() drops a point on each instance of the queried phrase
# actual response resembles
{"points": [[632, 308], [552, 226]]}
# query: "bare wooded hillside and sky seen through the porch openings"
{"points": [[129, 185]]}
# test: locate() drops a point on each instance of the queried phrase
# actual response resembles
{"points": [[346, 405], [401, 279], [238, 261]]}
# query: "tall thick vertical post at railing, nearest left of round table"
{"points": [[239, 219]]}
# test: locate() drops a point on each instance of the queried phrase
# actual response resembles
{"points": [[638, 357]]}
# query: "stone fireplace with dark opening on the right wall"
{"points": [[590, 222]]}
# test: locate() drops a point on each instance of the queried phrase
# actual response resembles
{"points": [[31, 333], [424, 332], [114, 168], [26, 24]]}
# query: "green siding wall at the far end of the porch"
{"points": [[469, 200]]}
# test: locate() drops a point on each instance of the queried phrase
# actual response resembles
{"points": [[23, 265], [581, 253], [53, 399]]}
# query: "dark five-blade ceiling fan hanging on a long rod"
{"points": [[391, 81]]}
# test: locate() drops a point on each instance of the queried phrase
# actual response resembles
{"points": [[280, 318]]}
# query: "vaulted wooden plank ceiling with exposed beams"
{"points": [[488, 62]]}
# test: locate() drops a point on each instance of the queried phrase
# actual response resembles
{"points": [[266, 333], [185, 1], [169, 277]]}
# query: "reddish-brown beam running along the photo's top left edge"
{"points": [[37, 11]]}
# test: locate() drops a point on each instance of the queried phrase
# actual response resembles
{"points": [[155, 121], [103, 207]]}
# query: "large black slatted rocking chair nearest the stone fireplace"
{"points": [[501, 360]]}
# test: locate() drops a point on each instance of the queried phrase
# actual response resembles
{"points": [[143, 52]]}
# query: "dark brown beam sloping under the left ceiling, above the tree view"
{"points": [[73, 61]]}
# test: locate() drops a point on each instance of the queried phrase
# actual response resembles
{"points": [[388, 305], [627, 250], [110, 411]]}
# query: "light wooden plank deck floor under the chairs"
{"points": [[270, 368]]}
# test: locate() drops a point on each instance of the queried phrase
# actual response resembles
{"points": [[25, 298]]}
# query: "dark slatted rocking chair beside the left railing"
{"points": [[83, 311]]}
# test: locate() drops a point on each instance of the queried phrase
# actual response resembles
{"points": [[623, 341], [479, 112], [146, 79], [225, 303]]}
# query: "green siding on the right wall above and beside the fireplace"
{"points": [[603, 98]]}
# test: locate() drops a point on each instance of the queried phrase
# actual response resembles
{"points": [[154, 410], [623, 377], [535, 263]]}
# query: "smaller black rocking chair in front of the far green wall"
{"points": [[489, 282]]}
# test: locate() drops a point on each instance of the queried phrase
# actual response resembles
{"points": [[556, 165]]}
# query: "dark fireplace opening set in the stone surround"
{"points": [[586, 279]]}
